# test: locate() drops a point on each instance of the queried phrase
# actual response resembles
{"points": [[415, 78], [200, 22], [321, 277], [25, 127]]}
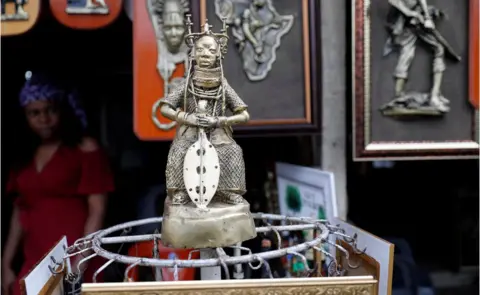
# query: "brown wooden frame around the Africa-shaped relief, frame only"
{"points": [[311, 61]]}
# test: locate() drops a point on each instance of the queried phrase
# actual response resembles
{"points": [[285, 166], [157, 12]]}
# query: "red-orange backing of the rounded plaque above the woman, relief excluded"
{"points": [[84, 21]]}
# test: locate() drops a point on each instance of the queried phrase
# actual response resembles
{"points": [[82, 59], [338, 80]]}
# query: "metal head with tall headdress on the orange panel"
{"points": [[172, 20]]}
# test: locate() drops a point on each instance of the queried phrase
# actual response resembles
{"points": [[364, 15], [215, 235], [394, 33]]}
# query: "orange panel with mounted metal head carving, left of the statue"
{"points": [[160, 57]]}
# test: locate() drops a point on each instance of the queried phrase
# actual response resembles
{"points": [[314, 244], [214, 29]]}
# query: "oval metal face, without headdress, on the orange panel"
{"points": [[173, 28]]}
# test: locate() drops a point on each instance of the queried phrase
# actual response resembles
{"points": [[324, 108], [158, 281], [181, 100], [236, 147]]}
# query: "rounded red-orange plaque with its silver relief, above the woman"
{"points": [[86, 14]]}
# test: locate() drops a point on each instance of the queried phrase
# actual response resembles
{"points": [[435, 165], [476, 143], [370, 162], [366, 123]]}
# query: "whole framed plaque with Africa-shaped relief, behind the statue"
{"points": [[272, 59]]}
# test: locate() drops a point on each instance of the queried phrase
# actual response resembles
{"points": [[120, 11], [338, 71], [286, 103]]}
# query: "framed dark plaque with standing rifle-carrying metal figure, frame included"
{"points": [[414, 84]]}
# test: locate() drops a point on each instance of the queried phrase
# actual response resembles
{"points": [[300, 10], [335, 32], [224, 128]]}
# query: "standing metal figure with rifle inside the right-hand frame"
{"points": [[408, 22]]}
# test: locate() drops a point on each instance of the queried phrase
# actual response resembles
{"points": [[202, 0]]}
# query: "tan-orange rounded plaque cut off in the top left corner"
{"points": [[18, 16]]}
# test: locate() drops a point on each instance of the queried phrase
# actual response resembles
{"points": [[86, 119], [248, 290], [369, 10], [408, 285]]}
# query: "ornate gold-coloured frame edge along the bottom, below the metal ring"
{"points": [[321, 286]]}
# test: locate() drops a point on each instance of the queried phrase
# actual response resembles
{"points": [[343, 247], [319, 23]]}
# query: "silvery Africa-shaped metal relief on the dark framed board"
{"points": [[257, 29]]}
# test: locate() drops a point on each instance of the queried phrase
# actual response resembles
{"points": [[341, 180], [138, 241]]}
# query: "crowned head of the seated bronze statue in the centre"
{"points": [[207, 48]]}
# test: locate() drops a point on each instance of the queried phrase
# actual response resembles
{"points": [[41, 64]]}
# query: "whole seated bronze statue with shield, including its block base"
{"points": [[205, 168]]}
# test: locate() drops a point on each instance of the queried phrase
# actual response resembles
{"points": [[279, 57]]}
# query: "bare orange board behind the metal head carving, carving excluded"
{"points": [[148, 85]]}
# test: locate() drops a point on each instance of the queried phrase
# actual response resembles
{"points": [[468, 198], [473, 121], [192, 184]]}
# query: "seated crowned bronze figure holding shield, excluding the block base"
{"points": [[199, 105]]}
